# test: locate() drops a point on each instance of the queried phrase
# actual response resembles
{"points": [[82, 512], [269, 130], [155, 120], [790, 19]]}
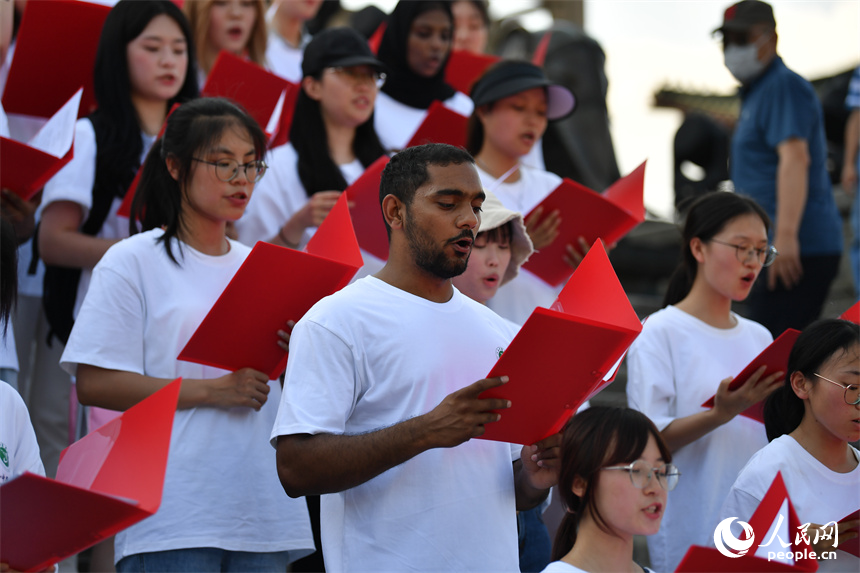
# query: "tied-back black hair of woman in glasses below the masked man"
{"points": [[706, 217]]}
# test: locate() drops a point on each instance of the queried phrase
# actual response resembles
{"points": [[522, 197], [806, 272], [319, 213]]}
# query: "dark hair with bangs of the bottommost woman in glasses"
{"points": [[593, 439]]}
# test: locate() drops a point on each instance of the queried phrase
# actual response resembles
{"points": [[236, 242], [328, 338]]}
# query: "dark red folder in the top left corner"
{"points": [[54, 56]]}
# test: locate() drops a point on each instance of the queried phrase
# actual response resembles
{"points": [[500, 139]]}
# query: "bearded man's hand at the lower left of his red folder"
{"points": [[462, 415]]}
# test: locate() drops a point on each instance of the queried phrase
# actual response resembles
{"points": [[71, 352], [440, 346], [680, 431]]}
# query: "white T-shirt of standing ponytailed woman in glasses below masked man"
{"points": [[674, 366]]}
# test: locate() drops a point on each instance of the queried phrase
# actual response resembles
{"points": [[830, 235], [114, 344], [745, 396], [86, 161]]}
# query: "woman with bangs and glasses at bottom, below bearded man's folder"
{"points": [[615, 474]]}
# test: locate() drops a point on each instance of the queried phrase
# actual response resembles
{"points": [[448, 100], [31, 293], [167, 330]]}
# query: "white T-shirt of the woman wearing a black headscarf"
{"points": [[396, 122]]}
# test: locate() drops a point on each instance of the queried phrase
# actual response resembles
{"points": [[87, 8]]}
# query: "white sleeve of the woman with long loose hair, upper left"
{"points": [[74, 182]]}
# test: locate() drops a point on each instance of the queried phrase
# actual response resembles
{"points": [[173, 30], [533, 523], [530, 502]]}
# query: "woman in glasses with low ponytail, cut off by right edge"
{"points": [[811, 420]]}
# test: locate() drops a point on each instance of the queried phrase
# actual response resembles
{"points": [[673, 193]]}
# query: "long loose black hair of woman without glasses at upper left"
{"points": [[120, 145]]}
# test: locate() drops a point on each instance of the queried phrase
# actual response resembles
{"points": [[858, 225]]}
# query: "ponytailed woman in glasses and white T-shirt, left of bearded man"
{"points": [[222, 508]]}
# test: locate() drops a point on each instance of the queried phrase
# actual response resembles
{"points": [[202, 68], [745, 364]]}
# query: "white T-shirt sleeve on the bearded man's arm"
{"points": [[321, 385]]}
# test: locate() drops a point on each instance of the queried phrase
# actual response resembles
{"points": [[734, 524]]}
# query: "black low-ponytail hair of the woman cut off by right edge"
{"points": [[783, 409]]}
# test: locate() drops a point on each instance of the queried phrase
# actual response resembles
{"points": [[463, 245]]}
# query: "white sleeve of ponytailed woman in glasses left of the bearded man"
{"points": [[109, 328]]}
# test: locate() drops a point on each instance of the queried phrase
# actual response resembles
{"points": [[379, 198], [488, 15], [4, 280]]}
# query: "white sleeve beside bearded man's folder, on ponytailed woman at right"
{"points": [[651, 381]]}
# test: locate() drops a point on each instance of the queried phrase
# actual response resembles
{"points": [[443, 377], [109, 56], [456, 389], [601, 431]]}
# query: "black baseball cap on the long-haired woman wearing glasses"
{"points": [[335, 47]]}
